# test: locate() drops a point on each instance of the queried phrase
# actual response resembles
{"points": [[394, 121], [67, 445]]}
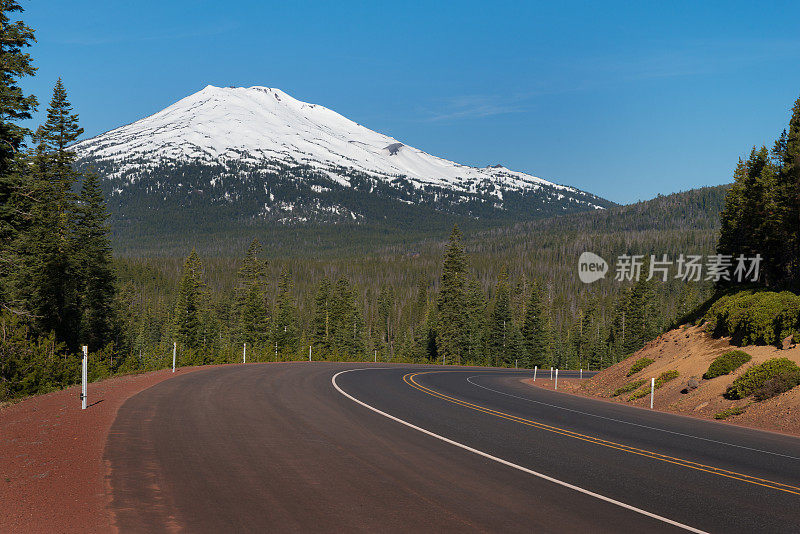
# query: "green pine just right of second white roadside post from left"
{"points": [[187, 326]]}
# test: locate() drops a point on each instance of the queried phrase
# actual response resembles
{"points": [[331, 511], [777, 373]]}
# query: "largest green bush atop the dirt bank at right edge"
{"points": [[755, 317]]}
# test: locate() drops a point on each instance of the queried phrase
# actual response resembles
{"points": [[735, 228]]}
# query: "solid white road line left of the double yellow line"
{"points": [[506, 462]]}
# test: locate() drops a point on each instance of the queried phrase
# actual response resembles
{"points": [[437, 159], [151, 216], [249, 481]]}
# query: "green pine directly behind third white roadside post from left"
{"points": [[250, 304]]}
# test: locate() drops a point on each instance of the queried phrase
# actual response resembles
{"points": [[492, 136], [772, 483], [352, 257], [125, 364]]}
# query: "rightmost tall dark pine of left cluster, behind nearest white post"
{"points": [[96, 277]]}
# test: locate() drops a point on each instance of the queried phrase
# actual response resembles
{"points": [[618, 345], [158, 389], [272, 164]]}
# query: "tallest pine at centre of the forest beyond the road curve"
{"points": [[452, 335]]}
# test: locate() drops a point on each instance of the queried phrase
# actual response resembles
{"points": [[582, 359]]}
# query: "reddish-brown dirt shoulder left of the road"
{"points": [[52, 474]]}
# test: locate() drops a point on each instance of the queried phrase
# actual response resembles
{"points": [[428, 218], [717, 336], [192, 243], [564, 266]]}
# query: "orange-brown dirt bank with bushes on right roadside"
{"points": [[689, 351]]}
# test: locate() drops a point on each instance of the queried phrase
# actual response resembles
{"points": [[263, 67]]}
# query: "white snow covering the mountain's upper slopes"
{"points": [[259, 125]]}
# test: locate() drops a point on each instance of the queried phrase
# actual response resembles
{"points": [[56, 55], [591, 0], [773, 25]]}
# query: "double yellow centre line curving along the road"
{"points": [[409, 379]]}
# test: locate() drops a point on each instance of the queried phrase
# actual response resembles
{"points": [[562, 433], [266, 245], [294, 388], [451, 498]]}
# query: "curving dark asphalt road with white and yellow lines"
{"points": [[300, 447]]}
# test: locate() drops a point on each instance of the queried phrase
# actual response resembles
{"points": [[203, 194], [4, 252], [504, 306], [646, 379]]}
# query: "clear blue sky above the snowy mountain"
{"points": [[623, 99]]}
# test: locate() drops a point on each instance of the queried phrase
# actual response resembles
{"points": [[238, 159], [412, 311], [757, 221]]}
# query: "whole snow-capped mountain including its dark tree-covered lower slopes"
{"points": [[257, 153]]}
